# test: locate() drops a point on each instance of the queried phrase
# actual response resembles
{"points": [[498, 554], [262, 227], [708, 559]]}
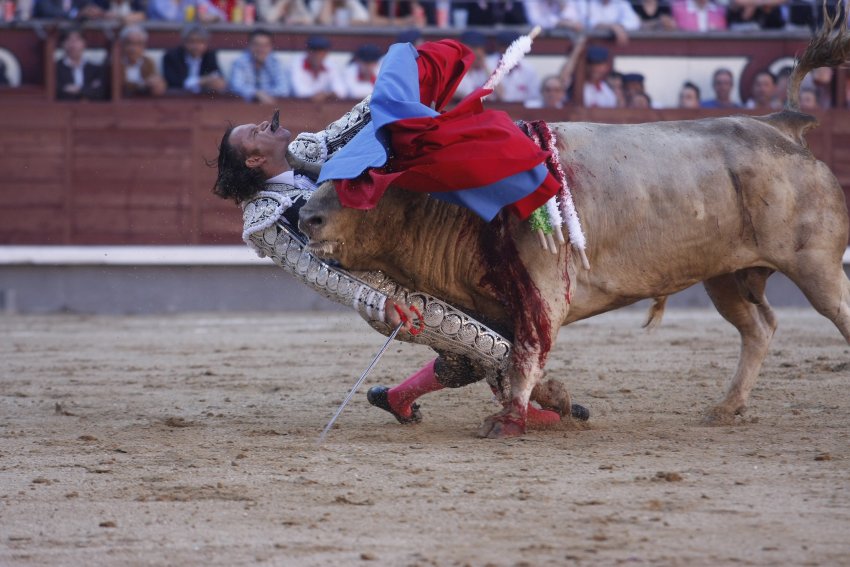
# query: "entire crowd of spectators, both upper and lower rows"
{"points": [[258, 74]]}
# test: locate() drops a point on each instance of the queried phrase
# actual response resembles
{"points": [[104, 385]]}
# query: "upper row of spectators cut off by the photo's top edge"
{"points": [[616, 17]]}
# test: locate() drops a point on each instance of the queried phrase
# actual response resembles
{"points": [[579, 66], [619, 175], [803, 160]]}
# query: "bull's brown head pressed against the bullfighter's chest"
{"points": [[354, 238]]}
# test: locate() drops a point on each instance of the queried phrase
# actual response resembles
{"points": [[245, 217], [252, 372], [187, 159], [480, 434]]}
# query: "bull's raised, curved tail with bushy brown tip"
{"points": [[830, 47]]}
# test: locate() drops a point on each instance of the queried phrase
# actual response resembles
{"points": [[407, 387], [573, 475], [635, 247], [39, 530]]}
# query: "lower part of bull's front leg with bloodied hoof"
{"points": [[525, 373]]}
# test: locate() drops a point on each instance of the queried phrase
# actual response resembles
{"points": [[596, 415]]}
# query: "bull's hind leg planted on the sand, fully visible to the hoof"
{"points": [[740, 299]]}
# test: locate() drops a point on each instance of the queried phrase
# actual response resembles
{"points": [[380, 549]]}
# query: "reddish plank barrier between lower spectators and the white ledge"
{"points": [[134, 173]]}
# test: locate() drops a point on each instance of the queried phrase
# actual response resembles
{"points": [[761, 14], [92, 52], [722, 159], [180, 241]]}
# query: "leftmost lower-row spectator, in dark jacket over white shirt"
{"points": [[76, 78]]}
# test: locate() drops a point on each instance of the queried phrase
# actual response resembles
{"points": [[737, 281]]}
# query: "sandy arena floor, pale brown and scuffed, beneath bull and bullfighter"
{"points": [[191, 440]]}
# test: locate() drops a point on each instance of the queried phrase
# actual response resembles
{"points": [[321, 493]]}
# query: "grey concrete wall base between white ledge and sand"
{"points": [[168, 289]]}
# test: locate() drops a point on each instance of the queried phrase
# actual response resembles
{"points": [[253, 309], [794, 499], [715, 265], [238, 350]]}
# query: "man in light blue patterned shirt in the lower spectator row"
{"points": [[257, 75]]}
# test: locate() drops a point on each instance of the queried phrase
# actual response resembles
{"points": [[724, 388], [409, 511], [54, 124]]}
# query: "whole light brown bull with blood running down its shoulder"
{"points": [[723, 201]]}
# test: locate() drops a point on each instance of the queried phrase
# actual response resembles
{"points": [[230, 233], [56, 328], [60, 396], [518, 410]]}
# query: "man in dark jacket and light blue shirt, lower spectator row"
{"points": [[193, 67]]}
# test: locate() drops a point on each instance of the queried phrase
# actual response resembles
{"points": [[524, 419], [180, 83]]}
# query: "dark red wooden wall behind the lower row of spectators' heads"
{"points": [[33, 44]]}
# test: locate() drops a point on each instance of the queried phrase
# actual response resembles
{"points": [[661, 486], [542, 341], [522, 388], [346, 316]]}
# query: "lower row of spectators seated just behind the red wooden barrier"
{"points": [[257, 74]]}
